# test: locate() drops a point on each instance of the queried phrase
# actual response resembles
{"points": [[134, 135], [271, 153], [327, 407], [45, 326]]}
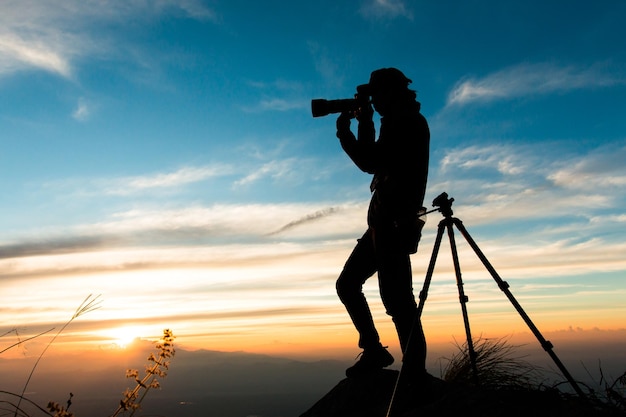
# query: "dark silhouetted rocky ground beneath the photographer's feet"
{"points": [[370, 397]]}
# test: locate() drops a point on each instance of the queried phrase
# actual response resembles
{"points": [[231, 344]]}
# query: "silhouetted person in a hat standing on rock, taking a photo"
{"points": [[399, 162]]}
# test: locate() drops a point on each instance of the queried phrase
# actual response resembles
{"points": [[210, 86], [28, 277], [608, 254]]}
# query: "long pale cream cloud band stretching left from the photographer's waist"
{"points": [[197, 236]]}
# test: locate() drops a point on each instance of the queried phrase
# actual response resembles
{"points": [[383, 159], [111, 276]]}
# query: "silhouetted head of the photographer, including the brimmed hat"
{"points": [[388, 88]]}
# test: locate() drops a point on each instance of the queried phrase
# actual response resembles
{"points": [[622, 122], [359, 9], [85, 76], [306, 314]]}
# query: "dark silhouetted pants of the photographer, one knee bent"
{"points": [[396, 291]]}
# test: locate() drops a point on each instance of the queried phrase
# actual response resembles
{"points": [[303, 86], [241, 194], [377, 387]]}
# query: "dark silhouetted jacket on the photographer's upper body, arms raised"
{"points": [[399, 162]]}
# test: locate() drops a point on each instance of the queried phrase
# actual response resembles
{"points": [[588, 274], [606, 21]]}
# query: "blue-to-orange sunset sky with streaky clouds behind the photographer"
{"points": [[161, 156]]}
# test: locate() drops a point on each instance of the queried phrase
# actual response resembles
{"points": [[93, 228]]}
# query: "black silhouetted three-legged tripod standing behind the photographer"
{"points": [[445, 207]]}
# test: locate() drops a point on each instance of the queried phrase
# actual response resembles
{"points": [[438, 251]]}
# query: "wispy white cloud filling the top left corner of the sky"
{"points": [[51, 36]]}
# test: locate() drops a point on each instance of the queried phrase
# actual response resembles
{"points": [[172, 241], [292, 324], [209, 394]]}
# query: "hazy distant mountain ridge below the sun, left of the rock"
{"points": [[229, 384]]}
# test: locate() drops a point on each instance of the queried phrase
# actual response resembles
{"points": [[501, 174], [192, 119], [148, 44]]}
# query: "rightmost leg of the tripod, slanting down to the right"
{"points": [[504, 286]]}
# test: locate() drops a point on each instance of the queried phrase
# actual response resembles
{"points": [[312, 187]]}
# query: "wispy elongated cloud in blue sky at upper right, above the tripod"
{"points": [[529, 79]]}
